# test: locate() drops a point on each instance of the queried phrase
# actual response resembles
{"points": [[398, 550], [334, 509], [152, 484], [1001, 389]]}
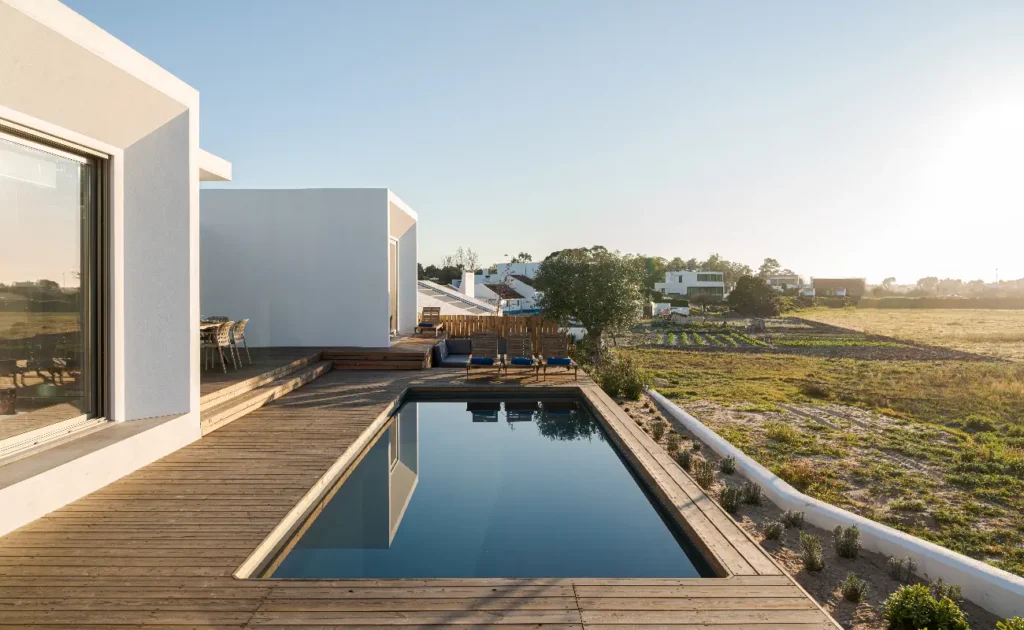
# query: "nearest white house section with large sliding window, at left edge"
{"points": [[100, 181]]}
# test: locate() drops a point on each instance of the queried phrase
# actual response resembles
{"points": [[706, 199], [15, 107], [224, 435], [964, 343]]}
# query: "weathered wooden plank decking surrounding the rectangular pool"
{"points": [[158, 549]]}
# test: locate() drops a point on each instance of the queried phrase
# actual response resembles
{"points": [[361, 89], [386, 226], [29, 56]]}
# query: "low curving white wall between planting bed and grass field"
{"points": [[992, 589]]}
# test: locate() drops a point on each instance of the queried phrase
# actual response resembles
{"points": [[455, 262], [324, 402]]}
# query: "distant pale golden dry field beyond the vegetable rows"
{"points": [[994, 333]]}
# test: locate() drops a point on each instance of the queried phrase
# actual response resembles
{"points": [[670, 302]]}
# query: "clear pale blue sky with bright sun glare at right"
{"points": [[861, 139]]}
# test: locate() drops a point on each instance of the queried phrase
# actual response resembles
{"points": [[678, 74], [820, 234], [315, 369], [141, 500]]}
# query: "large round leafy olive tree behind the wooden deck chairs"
{"points": [[603, 290]]}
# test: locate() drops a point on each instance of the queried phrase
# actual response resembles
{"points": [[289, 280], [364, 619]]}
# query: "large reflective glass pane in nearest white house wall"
{"points": [[48, 284]]}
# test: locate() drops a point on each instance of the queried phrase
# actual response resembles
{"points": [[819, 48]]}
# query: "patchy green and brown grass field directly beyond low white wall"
{"points": [[935, 449]]}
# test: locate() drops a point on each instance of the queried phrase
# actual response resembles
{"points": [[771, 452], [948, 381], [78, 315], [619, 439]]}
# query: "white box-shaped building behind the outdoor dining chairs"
{"points": [[313, 267]]}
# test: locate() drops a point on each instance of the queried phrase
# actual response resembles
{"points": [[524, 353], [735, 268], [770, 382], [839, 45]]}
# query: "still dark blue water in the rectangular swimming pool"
{"points": [[520, 489]]}
